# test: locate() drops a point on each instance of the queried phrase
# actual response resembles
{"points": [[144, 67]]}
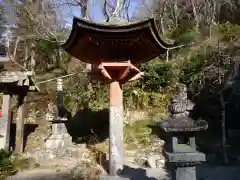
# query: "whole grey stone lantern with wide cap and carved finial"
{"points": [[180, 148]]}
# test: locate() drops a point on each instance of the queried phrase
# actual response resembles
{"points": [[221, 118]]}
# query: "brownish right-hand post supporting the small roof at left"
{"points": [[20, 124]]}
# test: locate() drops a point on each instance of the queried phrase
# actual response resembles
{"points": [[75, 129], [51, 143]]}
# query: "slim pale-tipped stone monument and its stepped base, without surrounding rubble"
{"points": [[60, 140]]}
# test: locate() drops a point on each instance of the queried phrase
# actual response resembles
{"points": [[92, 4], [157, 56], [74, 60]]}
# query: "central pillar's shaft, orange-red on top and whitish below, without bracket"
{"points": [[116, 149]]}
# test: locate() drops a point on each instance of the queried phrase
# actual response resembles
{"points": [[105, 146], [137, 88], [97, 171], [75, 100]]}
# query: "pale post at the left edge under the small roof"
{"points": [[5, 122]]}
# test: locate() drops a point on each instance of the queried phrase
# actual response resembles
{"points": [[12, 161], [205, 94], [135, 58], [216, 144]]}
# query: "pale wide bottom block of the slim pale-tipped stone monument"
{"points": [[58, 141]]}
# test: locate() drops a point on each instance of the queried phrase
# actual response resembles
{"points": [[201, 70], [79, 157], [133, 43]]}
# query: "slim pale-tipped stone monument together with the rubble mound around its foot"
{"points": [[59, 143]]}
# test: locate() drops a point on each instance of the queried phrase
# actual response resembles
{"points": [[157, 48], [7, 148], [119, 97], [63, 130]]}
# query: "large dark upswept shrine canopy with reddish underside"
{"points": [[96, 42]]}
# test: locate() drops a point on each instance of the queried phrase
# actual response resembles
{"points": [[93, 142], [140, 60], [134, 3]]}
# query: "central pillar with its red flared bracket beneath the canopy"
{"points": [[116, 73]]}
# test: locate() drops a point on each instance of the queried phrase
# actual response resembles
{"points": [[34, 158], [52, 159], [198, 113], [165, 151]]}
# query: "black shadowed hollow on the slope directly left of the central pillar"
{"points": [[88, 126]]}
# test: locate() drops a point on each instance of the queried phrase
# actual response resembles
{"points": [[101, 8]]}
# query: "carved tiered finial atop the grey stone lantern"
{"points": [[180, 106]]}
